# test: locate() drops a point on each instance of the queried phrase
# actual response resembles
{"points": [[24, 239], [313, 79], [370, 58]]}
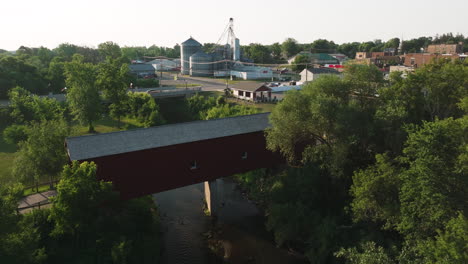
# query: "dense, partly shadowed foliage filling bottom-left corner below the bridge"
{"points": [[86, 224]]}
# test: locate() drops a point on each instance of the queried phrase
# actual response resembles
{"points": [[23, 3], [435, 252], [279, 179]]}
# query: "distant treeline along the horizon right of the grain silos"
{"points": [[280, 52]]}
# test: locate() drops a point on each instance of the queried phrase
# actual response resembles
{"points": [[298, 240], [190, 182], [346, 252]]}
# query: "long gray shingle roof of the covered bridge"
{"points": [[92, 146]]}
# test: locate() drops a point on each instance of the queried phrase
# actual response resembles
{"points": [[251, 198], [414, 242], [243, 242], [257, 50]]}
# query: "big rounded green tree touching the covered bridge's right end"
{"points": [[324, 120]]}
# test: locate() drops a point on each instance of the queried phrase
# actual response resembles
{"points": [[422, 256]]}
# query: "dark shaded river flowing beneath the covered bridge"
{"points": [[239, 229]]}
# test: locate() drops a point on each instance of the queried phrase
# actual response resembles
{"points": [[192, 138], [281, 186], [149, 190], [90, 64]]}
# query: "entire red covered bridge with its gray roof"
{"points": [[150, 160]]}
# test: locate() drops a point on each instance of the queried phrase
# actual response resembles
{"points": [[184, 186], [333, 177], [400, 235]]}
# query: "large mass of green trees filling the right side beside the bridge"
{"points": [[377, 169]]}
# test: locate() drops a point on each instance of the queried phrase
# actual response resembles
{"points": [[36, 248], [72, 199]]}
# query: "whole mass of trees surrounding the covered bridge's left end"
{"points": [[87, 222]]}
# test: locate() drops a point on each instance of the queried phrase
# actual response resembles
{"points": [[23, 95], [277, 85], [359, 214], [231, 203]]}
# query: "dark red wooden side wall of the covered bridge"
{"points": [[150, 171]]}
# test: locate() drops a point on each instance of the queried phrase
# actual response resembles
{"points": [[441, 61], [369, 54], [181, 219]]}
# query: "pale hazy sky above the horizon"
{"points": [[48, 23]]}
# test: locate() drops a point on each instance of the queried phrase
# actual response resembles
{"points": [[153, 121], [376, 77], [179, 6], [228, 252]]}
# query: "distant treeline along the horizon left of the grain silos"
{"points": [[41, 70]]}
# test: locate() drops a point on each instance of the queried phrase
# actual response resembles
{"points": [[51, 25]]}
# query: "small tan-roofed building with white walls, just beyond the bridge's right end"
{"points": [[251, 91]]}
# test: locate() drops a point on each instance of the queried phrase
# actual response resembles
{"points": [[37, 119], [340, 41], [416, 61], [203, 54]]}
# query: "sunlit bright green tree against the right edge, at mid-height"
{"points": [[434, 186]]}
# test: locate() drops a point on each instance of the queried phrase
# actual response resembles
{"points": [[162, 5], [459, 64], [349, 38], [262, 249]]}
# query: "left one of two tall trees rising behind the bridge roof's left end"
{"points": [[83, 95]]}
